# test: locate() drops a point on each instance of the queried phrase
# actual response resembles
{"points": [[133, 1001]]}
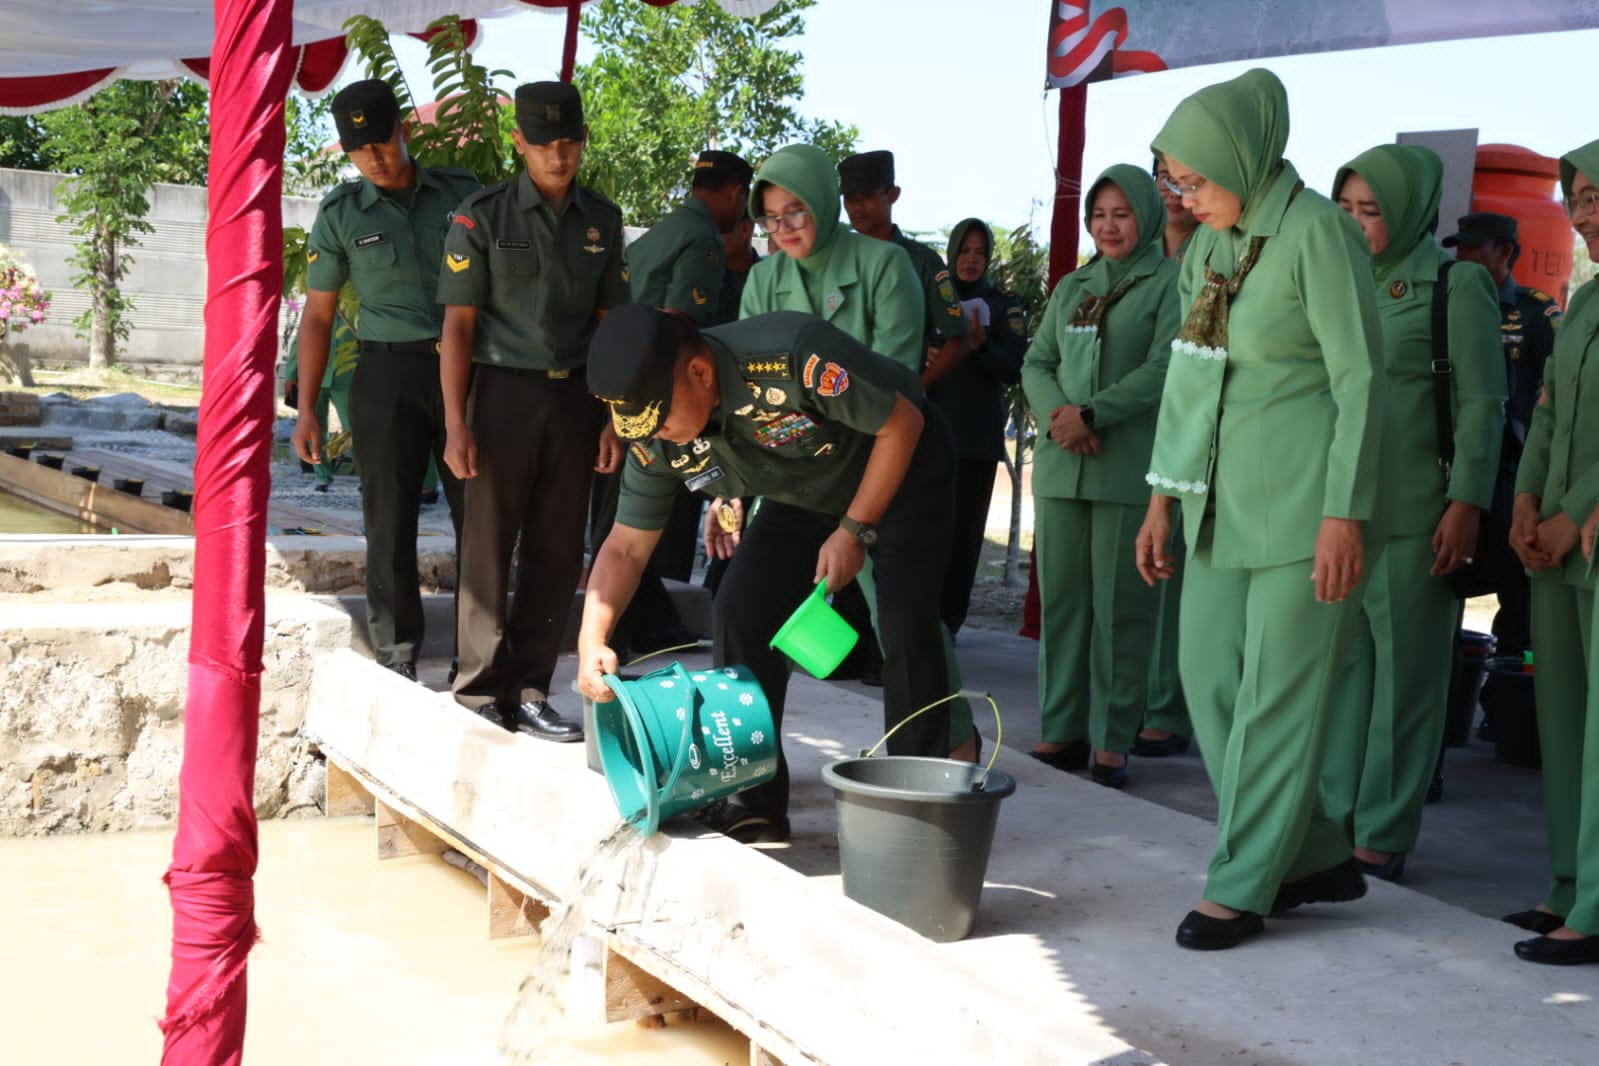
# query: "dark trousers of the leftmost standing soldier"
{"points": [[397, 423]]}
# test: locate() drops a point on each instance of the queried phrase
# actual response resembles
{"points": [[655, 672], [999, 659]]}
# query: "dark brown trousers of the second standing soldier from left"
{"points": [[536, 450]]}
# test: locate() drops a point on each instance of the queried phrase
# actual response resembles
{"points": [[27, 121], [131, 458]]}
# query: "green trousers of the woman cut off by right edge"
{"points": [[1569, 738]]}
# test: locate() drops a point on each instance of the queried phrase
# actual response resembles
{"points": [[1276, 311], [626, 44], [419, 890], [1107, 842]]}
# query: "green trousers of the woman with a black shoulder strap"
{"points": [[1384, 741]]}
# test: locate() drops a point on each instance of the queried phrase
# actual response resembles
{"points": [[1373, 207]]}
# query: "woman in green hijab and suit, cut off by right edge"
{"points": [[1558, 487]]}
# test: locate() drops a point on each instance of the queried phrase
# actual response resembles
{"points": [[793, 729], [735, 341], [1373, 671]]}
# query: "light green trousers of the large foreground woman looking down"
{"points": [[1261, 662]]}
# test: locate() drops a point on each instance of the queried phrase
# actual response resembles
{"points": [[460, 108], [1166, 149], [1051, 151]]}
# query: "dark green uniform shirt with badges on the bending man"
{"points": [[800, 410]]}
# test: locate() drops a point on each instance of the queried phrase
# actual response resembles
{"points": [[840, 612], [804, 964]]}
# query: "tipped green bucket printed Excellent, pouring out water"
{"points": [[674, 741]]}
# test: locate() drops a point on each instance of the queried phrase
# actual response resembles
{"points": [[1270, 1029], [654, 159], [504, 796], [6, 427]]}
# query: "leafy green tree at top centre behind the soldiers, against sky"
{"points": [[671, 82]]}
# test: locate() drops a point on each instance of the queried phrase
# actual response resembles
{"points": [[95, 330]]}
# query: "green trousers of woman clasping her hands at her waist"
{"points": [[1098, 622]]}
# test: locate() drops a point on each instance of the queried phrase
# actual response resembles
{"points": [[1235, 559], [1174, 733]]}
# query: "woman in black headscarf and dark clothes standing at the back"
{"points": [[971, 396]]}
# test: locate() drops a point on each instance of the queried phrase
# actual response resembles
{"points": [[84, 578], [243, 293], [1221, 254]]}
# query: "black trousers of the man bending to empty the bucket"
{"points": [[773, 571]]}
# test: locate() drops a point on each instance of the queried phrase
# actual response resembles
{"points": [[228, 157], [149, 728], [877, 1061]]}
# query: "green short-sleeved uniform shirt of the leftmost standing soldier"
{"points": [[389, 253]]}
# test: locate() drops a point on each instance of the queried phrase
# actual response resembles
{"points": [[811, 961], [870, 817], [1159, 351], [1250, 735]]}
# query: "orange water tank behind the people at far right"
{"points": [[1523, 185]]}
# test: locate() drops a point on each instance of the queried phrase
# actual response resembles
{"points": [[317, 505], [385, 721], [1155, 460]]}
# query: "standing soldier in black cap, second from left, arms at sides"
{"points": [[530, 269]]}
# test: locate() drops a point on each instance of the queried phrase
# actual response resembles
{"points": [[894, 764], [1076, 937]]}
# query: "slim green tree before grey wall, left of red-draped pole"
{"points": [[116, 146]]}
